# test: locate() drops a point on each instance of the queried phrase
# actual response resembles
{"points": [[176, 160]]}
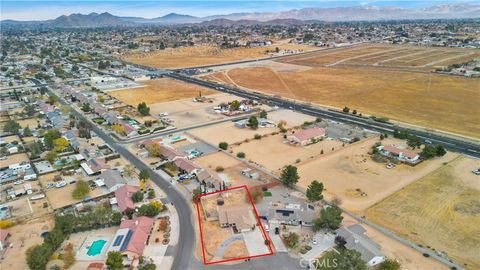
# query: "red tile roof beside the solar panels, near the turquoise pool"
{"points": [[140, 228]]}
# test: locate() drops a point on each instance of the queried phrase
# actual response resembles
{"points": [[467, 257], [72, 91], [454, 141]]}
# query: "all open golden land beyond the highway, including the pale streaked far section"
{"points": [[360, 79]]}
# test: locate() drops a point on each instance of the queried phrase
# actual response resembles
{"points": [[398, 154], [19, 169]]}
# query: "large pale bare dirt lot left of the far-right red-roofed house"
{"points": [[350, 172]]}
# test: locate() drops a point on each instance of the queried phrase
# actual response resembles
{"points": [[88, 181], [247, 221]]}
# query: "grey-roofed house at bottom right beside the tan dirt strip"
{"points": [[356, 239]]}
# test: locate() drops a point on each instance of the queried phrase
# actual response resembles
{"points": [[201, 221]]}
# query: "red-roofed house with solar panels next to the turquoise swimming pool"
{"points": [[132, 237]]}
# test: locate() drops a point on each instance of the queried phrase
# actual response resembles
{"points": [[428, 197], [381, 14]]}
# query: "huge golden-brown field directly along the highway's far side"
{"points": [[452, 101]]}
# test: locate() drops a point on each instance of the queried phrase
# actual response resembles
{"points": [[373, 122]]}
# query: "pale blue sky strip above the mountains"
{"points": [[42, 10]]}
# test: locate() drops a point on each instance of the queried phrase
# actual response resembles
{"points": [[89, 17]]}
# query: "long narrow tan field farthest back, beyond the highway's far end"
{"points": [[206, 55]]}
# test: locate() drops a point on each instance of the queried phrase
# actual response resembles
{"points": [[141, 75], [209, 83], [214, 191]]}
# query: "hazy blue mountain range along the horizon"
{"points": [[294, 16]]}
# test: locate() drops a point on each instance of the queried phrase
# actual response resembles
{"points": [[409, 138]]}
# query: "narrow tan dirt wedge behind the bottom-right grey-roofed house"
{"points": [[408, 257]]}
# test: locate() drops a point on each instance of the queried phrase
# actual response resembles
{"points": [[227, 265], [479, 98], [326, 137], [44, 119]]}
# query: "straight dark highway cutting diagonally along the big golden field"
{"points": [[450, 143]]}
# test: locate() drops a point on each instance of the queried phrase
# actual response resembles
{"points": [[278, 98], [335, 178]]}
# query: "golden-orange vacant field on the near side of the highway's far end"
{"points": [[159, 90]]}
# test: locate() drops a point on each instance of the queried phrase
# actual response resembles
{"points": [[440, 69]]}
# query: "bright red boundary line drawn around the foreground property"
{"points": [[197, 200]]}
